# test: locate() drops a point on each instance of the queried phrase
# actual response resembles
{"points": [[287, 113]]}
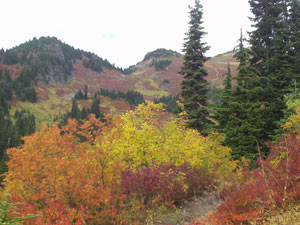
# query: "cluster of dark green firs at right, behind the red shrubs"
{"points": [[249, 112]]}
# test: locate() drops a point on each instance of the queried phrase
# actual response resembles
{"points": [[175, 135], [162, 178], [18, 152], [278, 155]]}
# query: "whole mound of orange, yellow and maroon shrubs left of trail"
{"points": [[73, 174]]}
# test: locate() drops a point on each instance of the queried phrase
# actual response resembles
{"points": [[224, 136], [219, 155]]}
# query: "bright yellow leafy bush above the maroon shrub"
{"points": [[141, 139]]}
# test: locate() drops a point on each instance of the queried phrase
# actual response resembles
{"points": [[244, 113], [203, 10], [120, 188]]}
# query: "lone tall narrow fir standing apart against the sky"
{"points": [[194, 86]]}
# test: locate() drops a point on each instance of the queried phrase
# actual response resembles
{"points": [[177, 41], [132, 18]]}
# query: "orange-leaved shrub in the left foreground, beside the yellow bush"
{"points": [[54, 167]]}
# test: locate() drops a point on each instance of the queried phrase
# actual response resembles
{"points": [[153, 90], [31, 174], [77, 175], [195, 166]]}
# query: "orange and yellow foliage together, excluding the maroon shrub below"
{"points": [[54, 165]]}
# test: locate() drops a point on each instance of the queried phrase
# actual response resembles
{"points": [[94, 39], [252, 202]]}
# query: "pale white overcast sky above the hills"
{"points": [[122, 31]]}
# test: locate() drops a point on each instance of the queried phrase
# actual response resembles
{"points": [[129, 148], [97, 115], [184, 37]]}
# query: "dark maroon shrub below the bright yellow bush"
{"points": [[168, 184]]}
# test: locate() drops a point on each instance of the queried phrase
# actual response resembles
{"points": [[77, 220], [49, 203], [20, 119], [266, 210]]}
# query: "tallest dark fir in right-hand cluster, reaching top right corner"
{"points": [[274, 54]]}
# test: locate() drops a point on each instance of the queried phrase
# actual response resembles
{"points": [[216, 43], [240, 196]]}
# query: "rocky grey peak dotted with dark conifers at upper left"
{"points": [[40, 55]]}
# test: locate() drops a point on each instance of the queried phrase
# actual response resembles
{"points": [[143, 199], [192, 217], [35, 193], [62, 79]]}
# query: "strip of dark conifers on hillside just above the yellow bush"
{"points": [[132, 97]]}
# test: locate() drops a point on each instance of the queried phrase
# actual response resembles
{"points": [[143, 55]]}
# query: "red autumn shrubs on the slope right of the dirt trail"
{"points": [[273, 186]]}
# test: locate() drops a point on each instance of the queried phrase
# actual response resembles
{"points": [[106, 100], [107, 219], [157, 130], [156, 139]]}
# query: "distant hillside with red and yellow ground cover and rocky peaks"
{"points": [[56, 71]]}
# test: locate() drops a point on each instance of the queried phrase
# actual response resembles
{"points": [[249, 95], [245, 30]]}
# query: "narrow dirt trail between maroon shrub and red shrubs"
{"points": [[195, 208]]}
